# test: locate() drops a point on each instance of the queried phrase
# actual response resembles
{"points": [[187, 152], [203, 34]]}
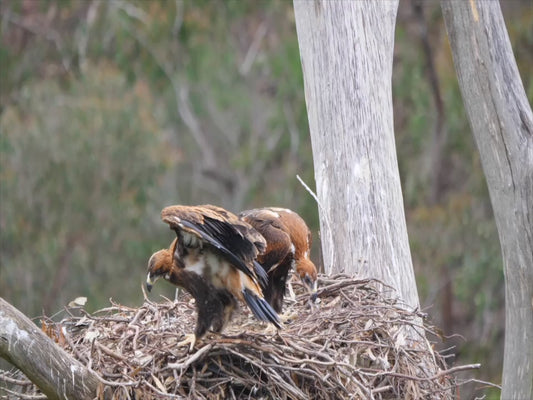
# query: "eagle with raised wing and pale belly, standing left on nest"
{"points": [[214, 259]]}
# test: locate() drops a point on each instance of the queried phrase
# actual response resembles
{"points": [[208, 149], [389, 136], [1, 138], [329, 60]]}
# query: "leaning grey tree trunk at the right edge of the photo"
{"points": [[502, 122]]}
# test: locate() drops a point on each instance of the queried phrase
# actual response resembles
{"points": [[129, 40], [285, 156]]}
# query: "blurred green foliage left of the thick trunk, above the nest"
{"points": [[108, 147]]}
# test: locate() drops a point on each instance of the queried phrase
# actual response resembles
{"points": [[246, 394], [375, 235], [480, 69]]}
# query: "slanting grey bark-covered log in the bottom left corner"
{"points": [[55, 372]]}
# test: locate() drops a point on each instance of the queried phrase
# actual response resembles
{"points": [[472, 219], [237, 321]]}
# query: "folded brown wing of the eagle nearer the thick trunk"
{"points": [[279, 243]]}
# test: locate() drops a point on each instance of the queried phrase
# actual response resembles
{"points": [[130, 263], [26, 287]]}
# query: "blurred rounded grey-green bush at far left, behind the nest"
{"points": [[79, 171]]}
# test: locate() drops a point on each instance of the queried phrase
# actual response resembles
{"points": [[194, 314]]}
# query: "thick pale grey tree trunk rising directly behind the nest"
{"points": [[346, 49]]}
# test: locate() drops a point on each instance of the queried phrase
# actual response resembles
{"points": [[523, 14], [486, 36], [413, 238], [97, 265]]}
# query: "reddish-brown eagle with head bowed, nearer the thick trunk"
{"points": [[288, 241]]}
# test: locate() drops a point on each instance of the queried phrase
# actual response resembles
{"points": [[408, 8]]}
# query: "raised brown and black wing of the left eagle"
{"points": [[234, 239]]}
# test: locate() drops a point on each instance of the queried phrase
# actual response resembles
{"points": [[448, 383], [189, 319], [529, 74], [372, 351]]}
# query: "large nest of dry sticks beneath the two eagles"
{"points": [[356, 343]]}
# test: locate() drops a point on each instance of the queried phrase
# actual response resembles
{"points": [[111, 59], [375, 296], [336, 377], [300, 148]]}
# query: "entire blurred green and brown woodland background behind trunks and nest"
{"points": [[111, 110]]}
